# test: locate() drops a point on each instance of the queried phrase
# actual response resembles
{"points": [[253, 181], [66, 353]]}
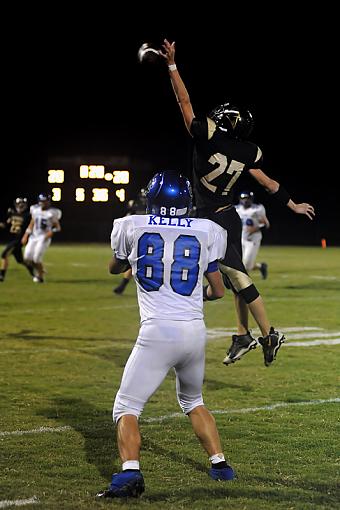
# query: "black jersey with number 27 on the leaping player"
{"points": [[218, 161]]}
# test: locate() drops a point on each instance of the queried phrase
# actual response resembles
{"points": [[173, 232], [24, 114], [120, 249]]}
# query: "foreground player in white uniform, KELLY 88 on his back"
{"points": [[169, 254]]}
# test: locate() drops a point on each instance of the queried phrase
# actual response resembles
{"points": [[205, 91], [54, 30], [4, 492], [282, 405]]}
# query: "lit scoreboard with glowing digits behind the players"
{"points": [[92, 191]]}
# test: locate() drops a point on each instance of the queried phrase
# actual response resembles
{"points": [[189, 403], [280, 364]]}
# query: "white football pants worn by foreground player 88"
{"points": [[160, 346]]}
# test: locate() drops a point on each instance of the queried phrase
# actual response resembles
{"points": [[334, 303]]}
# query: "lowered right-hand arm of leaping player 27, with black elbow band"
{"points": [[278, 191]]}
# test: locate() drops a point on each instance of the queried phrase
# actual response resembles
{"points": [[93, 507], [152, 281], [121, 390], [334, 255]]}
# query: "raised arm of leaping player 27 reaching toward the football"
{"points": [[181, 93]]}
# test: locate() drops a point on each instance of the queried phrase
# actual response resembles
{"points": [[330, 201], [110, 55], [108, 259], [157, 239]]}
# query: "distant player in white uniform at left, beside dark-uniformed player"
{"points": [[38, 236]]}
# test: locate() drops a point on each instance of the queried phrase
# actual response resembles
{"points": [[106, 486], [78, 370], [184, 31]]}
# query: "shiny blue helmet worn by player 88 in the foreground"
{"points": [[169, 194]]}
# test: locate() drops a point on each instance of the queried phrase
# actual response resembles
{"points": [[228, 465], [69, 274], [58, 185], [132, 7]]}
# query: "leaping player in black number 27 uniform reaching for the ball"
{"points": [[221, 154]]}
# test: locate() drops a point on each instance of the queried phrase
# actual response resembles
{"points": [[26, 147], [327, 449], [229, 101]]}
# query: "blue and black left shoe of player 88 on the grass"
{"points": [[127, 484]]}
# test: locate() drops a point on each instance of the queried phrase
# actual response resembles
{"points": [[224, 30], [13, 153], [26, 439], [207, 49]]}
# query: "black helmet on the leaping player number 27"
{"points": [[232, 119]]}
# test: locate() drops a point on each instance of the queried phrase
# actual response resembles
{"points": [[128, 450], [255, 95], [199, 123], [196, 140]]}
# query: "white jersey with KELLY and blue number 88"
{"points": [[169, 257]]}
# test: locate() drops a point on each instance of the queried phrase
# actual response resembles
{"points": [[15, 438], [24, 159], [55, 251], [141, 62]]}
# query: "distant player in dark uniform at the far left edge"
{"points": [[17, 222]]}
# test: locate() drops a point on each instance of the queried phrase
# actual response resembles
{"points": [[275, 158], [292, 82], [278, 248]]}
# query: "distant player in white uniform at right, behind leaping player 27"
{"points": [[254, 218]]}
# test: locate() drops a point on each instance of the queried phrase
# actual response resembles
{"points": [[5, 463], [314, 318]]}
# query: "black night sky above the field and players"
{"points": [[73, 82]]}
